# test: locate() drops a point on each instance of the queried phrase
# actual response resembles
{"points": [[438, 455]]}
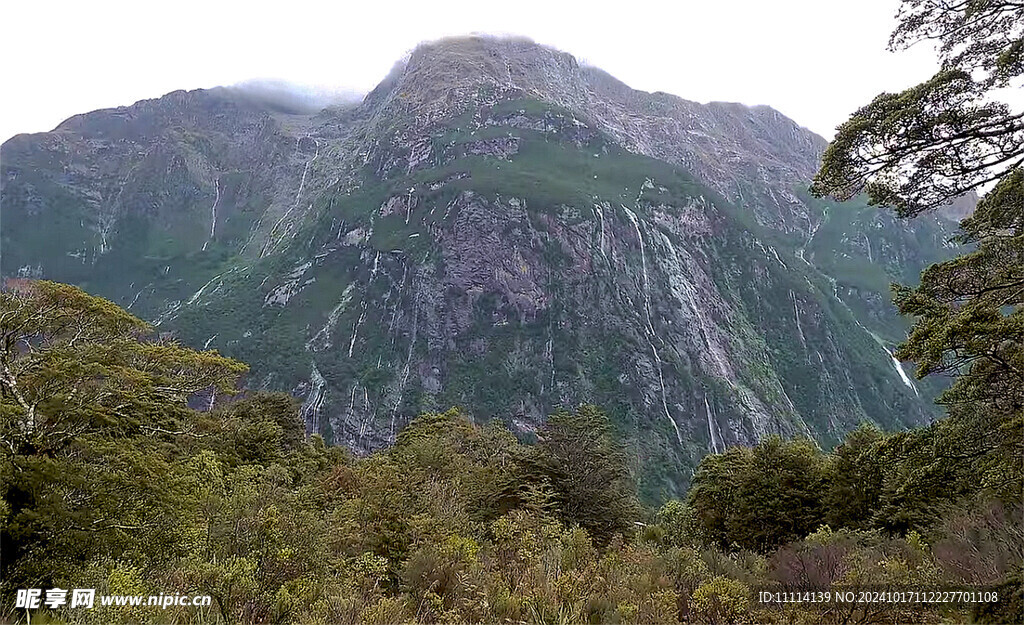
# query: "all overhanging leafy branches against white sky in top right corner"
{"points": [[927, 146]]}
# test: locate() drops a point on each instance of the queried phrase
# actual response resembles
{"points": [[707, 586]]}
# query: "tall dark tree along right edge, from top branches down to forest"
{"points": [[920, 150]]}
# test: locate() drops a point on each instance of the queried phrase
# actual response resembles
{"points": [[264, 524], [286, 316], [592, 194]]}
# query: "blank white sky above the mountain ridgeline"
{"points": [[816, 61]]}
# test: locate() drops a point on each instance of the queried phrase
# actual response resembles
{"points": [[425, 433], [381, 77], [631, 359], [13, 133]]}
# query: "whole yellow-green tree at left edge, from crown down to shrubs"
{"points": [[91, 409]]}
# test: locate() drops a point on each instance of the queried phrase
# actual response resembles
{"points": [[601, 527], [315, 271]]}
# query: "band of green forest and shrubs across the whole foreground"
{"points": [[457, 523]]}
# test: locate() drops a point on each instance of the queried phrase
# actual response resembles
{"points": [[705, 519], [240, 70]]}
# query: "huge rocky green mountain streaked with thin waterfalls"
{"points": [[494, 227]]}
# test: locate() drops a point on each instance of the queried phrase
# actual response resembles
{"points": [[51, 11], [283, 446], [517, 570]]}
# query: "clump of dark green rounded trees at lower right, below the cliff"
{"points": [[906, 482]]}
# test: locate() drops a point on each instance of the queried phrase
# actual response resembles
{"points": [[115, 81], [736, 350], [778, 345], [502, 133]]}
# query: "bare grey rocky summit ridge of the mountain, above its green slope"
{"points": [[719, 143]]}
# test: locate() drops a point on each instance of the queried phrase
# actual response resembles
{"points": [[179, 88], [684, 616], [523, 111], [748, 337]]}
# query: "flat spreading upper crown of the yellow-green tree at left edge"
{"points": [[72, 364]]}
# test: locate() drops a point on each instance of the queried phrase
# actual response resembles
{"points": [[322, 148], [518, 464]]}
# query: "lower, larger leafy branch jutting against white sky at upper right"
{"points": [[925, 130]]}
